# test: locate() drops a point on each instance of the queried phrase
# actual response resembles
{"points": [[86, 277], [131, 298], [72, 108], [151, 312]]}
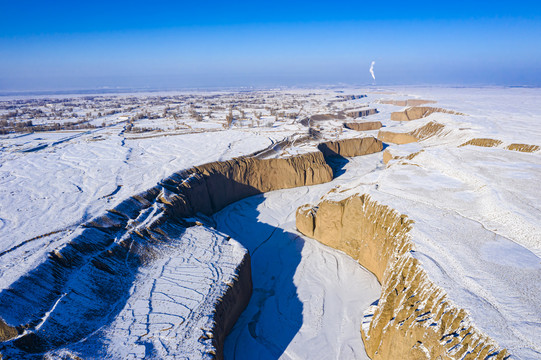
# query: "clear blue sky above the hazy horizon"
{"points": [[166, 44]]}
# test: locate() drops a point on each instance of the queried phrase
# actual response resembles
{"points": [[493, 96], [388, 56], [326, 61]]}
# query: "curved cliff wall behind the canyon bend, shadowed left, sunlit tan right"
{"points": [[211, 187]]}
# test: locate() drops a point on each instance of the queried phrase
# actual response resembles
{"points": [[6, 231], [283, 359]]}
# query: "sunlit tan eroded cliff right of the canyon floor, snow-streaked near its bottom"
{"points": [[414, 318]]}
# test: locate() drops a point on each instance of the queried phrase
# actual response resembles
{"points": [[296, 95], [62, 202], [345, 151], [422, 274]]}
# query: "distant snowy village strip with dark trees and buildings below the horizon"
{"points": [[179, 112]]}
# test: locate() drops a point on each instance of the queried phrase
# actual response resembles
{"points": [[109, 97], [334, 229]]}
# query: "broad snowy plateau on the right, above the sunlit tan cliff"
{"points": [[476, 209]]}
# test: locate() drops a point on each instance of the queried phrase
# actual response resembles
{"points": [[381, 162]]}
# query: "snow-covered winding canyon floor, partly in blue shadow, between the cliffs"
{"points": [[308, 299]]}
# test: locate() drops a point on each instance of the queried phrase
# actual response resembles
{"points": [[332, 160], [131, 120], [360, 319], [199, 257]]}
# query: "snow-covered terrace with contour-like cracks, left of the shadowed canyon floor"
{"points": [[158, 319]]}
